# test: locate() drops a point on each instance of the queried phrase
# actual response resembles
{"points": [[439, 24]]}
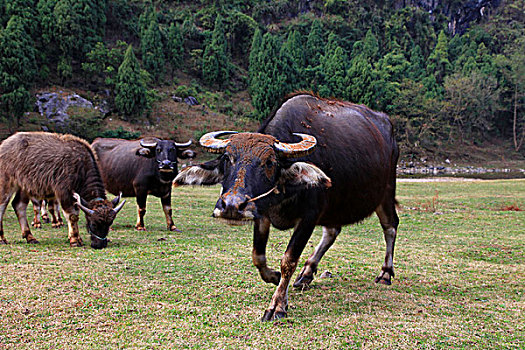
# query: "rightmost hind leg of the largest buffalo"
{"points": [[389, 220]]}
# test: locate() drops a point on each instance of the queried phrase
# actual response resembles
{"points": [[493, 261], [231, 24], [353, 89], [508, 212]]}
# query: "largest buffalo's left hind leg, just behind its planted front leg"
{"points": [[306, 276]]}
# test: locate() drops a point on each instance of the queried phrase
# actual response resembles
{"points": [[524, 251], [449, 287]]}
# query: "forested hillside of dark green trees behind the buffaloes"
{"points": [[448, 72]]}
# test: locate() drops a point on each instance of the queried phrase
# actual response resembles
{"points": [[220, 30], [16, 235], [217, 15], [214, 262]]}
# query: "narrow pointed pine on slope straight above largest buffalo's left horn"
{"points": [[216, 61]]}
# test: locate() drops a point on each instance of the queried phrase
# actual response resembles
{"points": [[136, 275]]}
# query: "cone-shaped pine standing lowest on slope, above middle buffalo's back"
{"points": [[130, 91]]}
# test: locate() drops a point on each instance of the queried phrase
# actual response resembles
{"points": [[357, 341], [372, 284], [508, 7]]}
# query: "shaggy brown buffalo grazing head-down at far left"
{"points": [[45, 166]]}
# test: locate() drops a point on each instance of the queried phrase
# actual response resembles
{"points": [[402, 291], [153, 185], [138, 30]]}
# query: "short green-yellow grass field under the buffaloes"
{"points": [[460, 280]]}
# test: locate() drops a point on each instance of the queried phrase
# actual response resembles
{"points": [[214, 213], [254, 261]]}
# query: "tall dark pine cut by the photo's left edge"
{"points": [[17, 69]]}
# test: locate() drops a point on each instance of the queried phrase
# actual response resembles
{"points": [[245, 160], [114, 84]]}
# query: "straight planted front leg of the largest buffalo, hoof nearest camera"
{"points": [[279, 304]]}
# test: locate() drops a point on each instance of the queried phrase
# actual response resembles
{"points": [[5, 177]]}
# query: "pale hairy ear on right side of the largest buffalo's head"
{"points": [[306, 174]]}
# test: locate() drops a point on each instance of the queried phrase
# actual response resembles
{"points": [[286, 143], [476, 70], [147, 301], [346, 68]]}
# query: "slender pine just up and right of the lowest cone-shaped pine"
{"points": [[152, 49]]}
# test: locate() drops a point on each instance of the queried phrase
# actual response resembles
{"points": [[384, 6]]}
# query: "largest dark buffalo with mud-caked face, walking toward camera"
{"points": [[313, 162]]}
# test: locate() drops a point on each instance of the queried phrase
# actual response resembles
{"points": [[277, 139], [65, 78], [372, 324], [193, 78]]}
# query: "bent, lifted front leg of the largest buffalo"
{"points": [[261, 231]]}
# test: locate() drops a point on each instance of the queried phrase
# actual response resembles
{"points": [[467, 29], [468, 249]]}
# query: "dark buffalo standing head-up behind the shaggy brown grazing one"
{"points": [[142, 167]]}
